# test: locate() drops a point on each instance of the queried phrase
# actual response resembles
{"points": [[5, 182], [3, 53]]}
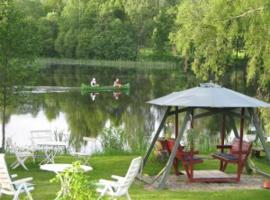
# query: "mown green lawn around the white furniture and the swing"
{"points": [[105, 166]]}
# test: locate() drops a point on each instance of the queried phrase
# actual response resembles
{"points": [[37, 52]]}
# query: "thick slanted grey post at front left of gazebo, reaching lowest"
{"points": [[173, 153]]}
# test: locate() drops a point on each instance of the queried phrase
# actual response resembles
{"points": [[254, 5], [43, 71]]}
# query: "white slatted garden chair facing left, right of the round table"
{"points": [[120, 187]]}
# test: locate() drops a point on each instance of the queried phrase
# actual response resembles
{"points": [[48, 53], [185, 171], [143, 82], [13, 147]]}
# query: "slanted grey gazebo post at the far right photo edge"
{"points": [[259, 132]]}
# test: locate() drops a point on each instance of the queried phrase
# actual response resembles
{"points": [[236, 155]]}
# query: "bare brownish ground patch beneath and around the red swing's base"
{"points": [[178, 183]]}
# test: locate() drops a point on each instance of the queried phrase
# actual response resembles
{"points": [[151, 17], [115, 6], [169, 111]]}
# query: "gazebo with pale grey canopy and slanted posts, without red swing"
{"points": [[202, 101]]}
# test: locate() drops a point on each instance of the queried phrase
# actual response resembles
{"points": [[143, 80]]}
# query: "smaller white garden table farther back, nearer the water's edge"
{"points": [[51, 148]]}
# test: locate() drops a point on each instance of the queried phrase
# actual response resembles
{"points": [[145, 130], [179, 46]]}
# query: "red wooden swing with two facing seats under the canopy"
{"points": [[238, 149]]}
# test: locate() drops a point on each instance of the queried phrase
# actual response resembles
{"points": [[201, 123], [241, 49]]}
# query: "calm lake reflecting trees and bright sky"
{"points": [[118, 121]]}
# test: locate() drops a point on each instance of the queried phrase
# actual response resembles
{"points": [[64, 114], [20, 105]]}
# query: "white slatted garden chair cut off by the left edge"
{"points": [[13, 188]]}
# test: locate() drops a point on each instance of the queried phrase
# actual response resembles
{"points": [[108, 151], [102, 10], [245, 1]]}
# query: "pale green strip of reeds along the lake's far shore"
{"points": [[109, 63]]}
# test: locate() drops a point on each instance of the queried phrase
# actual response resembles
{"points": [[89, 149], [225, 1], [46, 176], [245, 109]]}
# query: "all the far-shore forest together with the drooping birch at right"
{"points": [[210, 37]]}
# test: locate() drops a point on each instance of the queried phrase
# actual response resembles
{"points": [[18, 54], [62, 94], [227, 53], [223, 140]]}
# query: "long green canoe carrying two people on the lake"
{"points": [[87, 88]]}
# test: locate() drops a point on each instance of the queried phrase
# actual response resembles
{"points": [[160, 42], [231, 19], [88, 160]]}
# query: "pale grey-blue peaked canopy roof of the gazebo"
{"points": [[209, 95]]}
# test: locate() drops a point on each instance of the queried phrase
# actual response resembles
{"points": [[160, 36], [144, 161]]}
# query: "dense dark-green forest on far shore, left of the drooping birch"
{"points": [[102, 29]]}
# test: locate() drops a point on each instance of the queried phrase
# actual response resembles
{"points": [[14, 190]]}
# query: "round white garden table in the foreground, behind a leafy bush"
{"points": [[58, 168]]}
